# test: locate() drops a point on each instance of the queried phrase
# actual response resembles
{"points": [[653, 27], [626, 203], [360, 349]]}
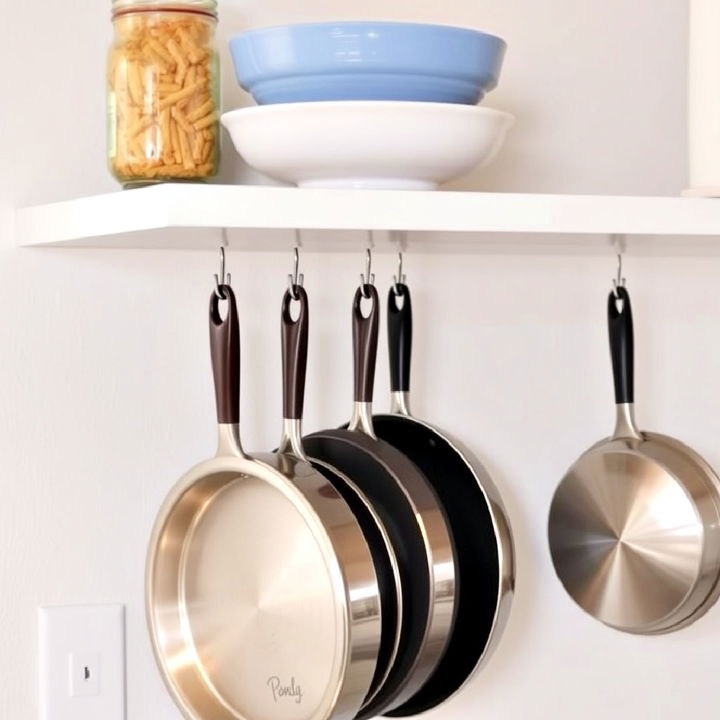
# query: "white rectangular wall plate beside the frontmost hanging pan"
{"points": [[82, 662]]}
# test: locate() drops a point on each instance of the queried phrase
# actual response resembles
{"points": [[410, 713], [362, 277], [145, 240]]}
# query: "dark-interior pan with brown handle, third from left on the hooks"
{"points": [[409, 509]]}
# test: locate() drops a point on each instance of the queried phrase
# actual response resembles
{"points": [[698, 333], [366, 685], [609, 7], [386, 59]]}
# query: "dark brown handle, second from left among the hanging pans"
{"points": [[294, 353]]}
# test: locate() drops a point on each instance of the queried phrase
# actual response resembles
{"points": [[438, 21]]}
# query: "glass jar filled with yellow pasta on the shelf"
{"points": [[163, 91]]}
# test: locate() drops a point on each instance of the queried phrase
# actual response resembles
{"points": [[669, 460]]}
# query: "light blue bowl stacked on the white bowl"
{"points": [[367, 61]]}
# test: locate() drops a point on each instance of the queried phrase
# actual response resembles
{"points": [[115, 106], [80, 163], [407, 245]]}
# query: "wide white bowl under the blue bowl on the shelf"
{"points": [[380, 145]]}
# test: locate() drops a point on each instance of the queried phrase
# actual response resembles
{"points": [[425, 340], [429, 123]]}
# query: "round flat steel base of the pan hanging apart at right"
{"points": [[626, 538]]}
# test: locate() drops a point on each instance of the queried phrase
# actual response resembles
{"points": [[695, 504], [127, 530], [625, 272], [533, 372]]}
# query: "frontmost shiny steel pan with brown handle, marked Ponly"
{"points": [[262, 596]]}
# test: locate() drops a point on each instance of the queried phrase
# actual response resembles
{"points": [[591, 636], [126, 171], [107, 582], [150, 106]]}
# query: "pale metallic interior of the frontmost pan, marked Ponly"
{"points": [[247, 612]]}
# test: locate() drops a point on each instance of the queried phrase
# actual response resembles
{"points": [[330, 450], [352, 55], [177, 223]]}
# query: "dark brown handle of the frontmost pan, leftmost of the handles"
{"points": [[225, 355]]}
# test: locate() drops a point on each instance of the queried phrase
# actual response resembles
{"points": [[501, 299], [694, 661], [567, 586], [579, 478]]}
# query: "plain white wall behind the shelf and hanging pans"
{"points": [[105, 395]]}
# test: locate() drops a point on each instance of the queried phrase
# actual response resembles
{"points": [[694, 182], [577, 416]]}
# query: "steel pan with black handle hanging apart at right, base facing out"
{"points": [[634, 525]]}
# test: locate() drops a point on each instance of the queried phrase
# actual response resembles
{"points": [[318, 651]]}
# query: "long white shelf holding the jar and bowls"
{"points": [[193, 216]]}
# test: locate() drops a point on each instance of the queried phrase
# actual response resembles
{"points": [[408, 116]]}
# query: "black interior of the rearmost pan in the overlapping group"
{"points": [[477, 554]]}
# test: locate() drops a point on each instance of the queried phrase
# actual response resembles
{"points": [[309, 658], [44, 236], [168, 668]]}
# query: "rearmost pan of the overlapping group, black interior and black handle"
{"points": [[483, 541]]}
